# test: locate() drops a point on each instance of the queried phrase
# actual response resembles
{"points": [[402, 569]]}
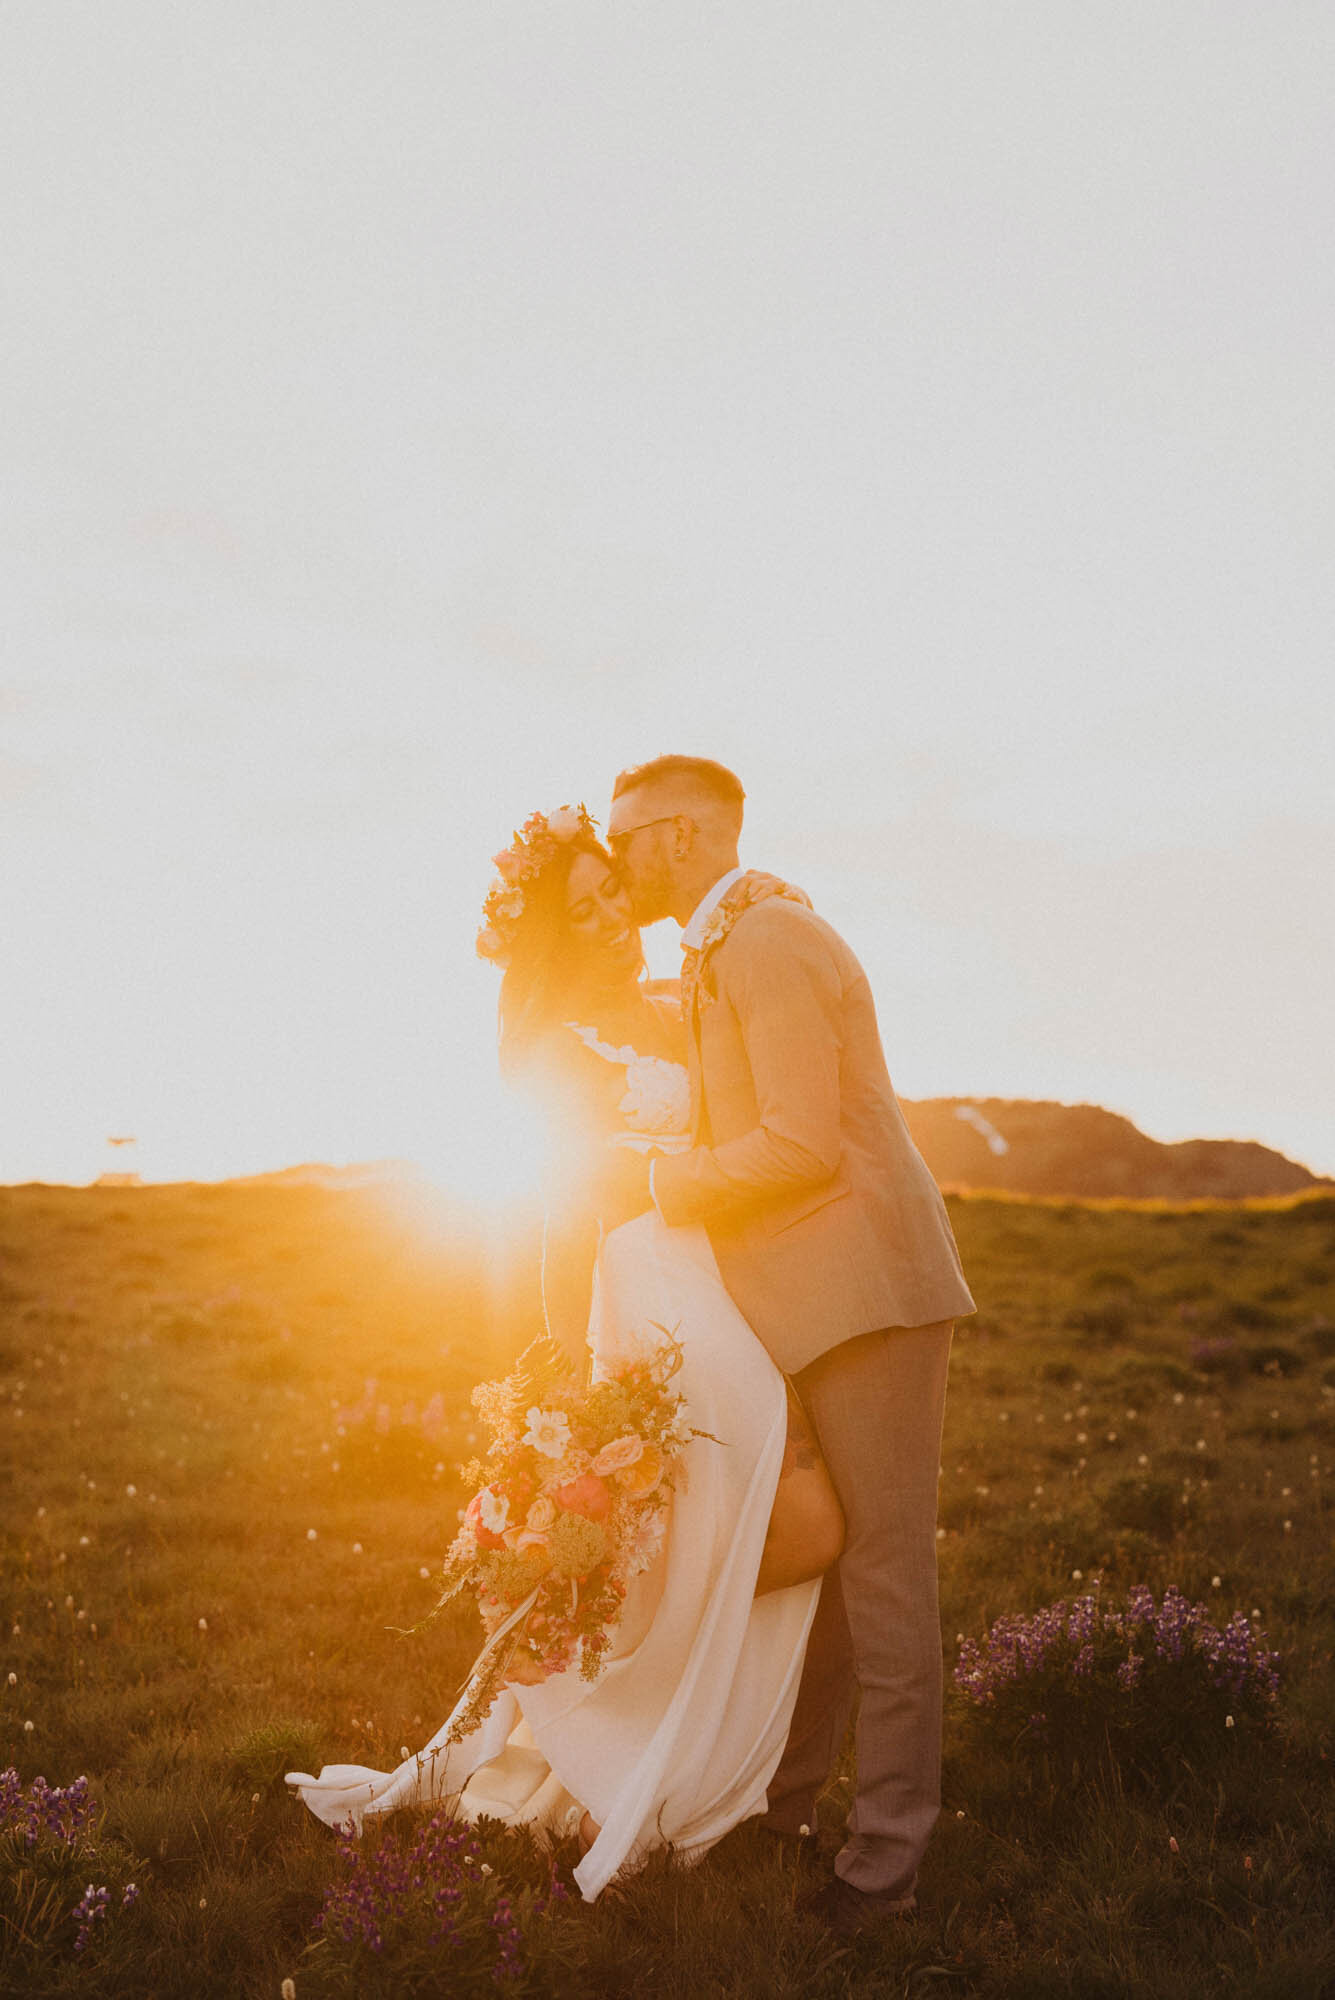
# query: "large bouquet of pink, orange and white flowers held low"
{"points": [[571, 1505]]}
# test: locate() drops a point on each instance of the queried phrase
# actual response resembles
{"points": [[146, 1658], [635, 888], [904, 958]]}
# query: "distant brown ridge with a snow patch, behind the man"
{"points": [[1032, 1147]]}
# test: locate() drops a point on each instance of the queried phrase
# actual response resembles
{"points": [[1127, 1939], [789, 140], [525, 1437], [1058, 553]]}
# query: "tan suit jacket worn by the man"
{"points": [[820, 1209]]}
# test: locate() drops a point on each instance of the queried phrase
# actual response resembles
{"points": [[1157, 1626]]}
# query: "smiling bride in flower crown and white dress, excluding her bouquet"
{"points": [[680, 1735]]}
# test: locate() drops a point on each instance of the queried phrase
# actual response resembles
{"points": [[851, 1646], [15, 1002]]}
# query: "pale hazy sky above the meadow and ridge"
{"points": [[413, 415]]}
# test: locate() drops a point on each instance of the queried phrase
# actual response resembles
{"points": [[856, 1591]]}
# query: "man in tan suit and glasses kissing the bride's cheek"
{"points": [[834, 1243]]}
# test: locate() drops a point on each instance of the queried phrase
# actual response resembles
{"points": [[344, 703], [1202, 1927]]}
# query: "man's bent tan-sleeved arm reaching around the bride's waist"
{"points": [[784, 987]]}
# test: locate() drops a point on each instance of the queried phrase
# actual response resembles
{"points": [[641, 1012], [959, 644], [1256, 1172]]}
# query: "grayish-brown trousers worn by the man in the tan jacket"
{"points": [[876, 1405]]}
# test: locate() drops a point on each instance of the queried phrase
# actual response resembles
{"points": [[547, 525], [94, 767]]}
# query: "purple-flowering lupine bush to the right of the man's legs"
{"points": [[1080, 1687]]}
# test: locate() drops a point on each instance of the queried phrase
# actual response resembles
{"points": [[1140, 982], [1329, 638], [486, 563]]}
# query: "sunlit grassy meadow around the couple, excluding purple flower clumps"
{"points": [[1148, 1395]]}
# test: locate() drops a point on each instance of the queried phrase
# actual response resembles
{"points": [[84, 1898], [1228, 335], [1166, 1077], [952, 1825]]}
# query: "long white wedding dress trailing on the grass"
{"points": [[680, 1735]]}
